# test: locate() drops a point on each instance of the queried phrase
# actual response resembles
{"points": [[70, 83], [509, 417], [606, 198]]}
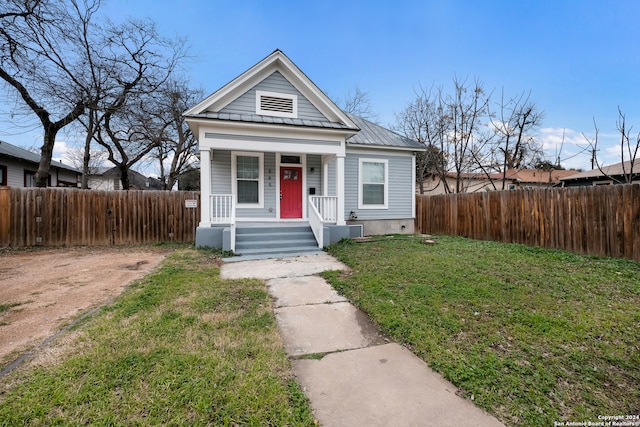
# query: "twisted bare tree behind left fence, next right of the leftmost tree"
{"points": [[139, 63]]}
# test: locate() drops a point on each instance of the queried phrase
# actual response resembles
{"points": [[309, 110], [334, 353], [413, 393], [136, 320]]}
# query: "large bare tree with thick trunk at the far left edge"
{"points": [[40, 59]]}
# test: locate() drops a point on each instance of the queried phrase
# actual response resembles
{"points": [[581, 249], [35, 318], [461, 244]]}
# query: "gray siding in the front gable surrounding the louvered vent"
{"points": [[276, 82]]}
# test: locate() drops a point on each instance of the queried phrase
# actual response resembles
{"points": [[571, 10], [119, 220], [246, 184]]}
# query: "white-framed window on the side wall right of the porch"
{"points": [[373, 178]]}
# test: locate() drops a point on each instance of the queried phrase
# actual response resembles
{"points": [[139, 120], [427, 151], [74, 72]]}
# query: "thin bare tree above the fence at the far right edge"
{"points": [[629, 147]]}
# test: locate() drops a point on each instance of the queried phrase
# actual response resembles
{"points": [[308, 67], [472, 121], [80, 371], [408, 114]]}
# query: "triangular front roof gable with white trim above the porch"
{"points": [[227, 97]]}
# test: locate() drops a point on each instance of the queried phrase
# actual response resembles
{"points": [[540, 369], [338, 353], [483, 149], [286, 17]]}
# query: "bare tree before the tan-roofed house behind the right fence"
{"points": [[513, 125]]}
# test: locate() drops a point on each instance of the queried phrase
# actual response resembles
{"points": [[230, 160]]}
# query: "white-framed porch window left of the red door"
{"points": [[248, 179]]}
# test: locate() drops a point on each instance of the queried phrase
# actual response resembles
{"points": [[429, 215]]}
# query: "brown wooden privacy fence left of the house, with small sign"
{"points": [[70, 217]]}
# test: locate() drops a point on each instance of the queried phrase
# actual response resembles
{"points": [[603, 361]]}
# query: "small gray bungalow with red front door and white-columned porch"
{"points": [[279, 160]]}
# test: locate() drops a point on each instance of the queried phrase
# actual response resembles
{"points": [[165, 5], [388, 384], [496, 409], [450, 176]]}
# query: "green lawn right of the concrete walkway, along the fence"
{"points": [[532, 335]]}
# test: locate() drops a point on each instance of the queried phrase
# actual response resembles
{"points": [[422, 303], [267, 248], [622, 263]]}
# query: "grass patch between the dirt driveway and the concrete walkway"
{"points": [[180, 347]]}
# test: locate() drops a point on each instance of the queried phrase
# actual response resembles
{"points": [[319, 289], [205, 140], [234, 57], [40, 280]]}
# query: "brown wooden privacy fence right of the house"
{"points": [[600, 220]]}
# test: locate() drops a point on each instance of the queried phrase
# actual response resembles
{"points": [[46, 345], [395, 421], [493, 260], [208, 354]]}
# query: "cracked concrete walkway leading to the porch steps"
{"points": [[355, 377]]}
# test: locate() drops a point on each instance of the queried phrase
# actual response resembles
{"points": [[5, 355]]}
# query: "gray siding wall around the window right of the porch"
{"points": [[400, 188]]}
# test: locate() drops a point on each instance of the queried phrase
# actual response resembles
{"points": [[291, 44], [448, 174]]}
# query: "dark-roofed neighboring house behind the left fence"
{"points": [[18, 168]]}
